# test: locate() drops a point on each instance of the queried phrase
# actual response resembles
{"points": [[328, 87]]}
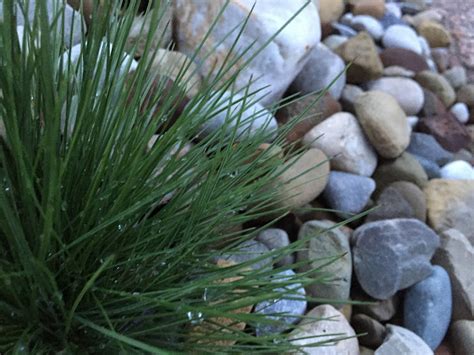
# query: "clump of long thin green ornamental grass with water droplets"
{"points": [[112, 237]]}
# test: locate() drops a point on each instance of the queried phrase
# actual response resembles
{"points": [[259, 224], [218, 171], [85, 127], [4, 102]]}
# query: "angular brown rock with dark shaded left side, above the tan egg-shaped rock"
{"points": [[361, 52]]}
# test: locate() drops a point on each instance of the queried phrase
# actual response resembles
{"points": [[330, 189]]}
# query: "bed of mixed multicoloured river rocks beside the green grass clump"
{"points": [[398, 127]]}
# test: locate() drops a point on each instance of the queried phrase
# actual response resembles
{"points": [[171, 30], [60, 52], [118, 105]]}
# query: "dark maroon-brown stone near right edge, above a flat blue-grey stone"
{"points": [[447, 130]]}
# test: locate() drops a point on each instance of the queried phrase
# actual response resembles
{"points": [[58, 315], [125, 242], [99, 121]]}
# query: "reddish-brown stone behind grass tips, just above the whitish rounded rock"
{"points": [[317, 112]]}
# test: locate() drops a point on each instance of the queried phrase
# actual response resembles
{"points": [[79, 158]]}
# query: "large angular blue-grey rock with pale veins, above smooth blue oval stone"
{"points": [[391, 255]]}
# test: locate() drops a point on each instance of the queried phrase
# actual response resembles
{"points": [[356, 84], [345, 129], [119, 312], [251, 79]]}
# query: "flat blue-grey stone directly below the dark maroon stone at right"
{"points": [[424, 145]]}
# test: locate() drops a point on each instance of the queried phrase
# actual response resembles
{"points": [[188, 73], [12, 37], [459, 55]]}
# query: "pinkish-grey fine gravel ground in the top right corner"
{"points": [[459, 19]]}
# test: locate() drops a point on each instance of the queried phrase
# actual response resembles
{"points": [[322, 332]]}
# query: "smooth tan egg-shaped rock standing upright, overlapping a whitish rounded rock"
{"points": [[384, 123]]}
